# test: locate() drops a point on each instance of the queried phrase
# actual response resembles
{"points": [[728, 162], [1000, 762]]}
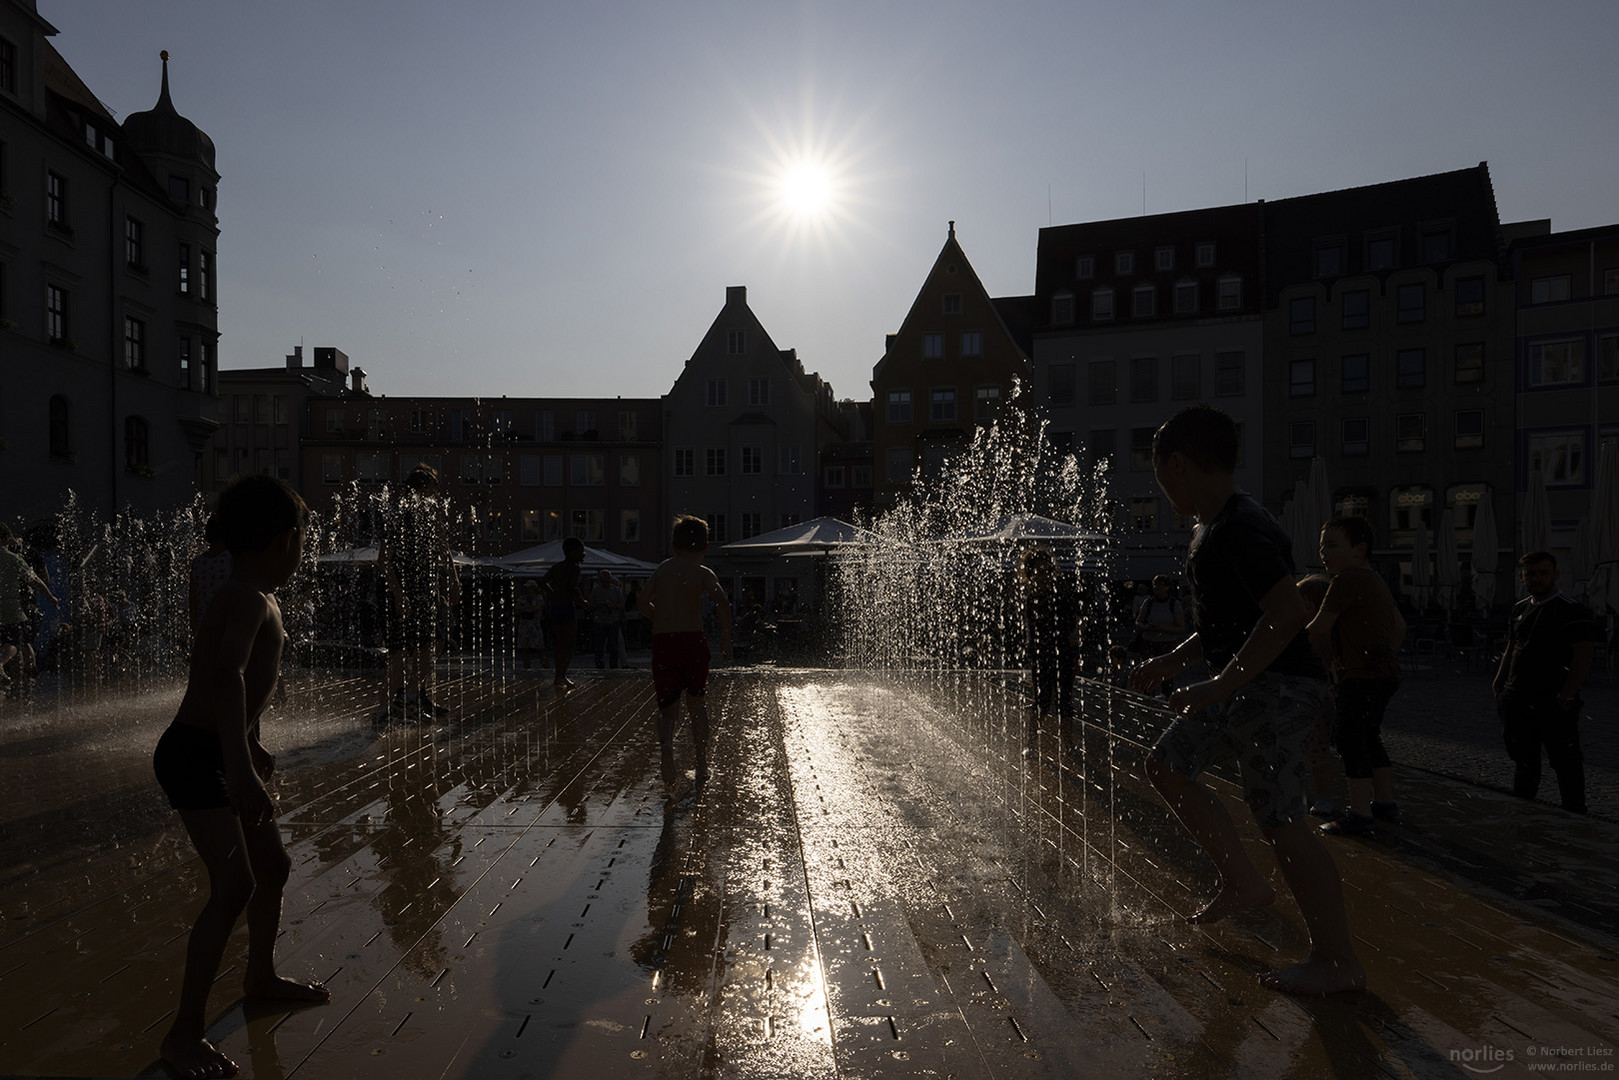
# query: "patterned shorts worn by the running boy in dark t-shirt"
{"points": [[1268, 726]]}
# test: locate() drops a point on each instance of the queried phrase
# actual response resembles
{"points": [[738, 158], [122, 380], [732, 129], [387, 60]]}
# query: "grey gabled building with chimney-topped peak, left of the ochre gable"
{"points": [[744, 432]]}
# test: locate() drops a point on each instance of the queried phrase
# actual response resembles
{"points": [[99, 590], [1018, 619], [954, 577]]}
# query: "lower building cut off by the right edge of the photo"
{"points": [[1566, 368]]}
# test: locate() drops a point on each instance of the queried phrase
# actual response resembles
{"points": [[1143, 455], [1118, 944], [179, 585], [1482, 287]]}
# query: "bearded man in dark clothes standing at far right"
{"points": [[1550, 647]]}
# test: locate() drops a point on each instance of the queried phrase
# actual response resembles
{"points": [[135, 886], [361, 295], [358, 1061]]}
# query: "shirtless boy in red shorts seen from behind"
{"points": [[681, 657]]}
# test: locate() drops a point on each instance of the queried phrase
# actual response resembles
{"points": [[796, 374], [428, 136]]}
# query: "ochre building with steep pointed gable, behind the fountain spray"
{"points": [[945, 373]]}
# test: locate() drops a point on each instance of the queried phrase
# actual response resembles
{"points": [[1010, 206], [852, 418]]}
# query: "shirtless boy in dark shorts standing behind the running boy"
{"points": [[1366, 632]]}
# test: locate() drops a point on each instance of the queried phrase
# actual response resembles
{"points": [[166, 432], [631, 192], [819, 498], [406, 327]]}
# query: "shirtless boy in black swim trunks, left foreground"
{"points": [[213, 767]]}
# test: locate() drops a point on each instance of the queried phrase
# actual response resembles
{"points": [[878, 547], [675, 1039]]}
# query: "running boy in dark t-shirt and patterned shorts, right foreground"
{"points": [[1247, 623]]}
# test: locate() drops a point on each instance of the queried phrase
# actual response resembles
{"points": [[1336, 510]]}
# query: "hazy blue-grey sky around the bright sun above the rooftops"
{"points": [[550, 200]]}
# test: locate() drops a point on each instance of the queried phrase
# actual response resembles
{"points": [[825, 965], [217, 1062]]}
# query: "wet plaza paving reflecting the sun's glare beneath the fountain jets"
{"points": [[877, 883]]}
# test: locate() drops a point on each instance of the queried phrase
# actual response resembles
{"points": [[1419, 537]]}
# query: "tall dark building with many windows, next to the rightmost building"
{"points": [[1388, 352]]}
